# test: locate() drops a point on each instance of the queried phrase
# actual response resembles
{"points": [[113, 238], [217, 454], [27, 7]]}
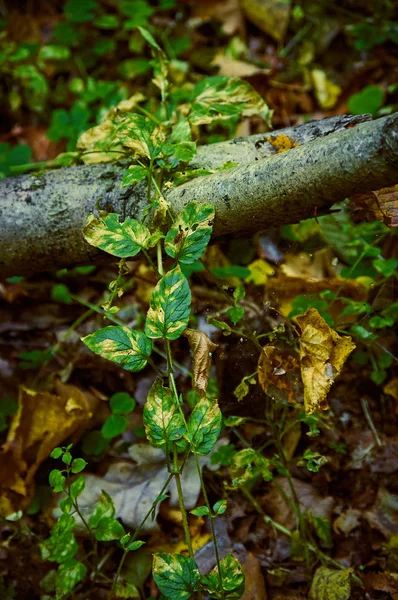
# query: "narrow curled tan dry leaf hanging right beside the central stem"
{"points": [[202, 348]]}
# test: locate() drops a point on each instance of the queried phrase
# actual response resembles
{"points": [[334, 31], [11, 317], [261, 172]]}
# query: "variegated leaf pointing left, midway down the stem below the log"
{"points": [[127, 347]]}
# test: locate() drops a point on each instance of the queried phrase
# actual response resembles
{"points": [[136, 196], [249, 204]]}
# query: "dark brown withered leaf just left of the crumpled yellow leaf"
{"points": [[279, 368]]}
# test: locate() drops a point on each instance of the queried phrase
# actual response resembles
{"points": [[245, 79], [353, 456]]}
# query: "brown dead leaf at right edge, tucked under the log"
{"points": [[381, 204]]}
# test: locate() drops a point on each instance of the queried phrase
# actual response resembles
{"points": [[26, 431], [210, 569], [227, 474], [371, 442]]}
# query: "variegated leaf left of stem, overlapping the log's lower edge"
{"points": [[119, 239]]}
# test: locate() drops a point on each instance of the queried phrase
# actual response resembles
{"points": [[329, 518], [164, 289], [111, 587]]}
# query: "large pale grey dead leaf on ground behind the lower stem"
{"points": [[135, 487]]}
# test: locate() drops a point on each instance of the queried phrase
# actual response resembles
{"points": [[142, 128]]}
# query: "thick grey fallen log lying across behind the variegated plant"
{"points": [[41, 216]]}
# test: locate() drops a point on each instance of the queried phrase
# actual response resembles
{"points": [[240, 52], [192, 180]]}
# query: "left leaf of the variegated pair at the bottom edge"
{"points": [[175, 575]]}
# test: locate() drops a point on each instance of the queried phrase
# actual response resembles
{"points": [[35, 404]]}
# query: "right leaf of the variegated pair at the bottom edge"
{"points": [[233, 580]]}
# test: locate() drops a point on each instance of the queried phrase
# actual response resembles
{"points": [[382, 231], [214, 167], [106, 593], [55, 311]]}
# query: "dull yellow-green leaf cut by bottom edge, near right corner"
{"points": [[329, 584]]}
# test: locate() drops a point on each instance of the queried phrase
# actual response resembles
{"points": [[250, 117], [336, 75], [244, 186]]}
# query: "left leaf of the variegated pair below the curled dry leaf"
{"points": [[163, 420]]}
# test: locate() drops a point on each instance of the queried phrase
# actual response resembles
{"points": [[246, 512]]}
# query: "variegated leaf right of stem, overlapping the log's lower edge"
{"points": [[190, 233]]}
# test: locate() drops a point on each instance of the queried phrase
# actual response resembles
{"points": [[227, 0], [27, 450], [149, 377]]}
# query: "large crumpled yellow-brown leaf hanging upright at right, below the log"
{"points": [[322, 355]]}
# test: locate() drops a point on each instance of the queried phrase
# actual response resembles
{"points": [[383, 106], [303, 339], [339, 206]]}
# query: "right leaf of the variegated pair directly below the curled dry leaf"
{"points": [[204, 425]]}
